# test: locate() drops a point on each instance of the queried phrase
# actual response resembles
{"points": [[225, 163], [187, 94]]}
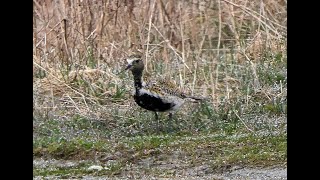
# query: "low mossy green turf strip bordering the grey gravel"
{"points": [[218, 149]]}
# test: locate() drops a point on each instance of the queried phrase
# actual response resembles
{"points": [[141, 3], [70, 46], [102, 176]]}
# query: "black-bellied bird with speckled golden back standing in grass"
{"points": [[157, 95]]}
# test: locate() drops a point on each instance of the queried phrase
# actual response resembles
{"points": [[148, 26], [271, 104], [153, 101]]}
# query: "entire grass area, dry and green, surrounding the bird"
{"points": [[232, 52]]}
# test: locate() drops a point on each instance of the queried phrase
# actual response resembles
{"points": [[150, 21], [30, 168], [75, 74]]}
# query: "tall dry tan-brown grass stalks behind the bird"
{"points": [[79, 46]]}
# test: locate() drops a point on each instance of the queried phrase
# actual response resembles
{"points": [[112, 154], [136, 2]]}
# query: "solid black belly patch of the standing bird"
{"points": [[152, 103]]}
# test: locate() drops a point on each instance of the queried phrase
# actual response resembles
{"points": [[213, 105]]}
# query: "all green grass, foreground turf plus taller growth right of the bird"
{"points": [[246, 129]]}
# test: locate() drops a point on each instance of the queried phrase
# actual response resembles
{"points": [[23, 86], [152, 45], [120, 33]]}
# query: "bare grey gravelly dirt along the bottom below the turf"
{"points": [[171, 171]]}
